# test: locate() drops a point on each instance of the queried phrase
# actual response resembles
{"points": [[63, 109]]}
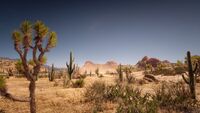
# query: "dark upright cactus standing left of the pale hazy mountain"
{"points": [[70, 66]]}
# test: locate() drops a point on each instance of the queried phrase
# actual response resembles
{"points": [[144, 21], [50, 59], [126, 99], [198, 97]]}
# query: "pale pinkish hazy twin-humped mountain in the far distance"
{"points": [[89, 66]]}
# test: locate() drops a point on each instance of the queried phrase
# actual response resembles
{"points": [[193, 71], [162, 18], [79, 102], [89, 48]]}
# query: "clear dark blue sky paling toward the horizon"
{"points": [[98, 30]]}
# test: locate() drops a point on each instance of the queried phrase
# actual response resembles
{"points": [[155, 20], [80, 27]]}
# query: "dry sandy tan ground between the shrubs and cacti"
{"points": [[56, 99]]}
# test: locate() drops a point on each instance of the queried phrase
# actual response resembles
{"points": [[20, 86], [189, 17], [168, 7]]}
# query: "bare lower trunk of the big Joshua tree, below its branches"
{"points": [[32, 96]]}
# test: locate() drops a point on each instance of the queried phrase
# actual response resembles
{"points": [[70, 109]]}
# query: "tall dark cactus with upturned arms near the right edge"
{"points": [[192, 76]]}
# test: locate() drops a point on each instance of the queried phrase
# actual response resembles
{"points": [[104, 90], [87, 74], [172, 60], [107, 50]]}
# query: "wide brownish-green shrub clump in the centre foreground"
{"points": [[129, 99]]}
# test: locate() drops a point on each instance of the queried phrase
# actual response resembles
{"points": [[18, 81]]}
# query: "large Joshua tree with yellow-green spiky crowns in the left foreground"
{"points": [[32, 37]]}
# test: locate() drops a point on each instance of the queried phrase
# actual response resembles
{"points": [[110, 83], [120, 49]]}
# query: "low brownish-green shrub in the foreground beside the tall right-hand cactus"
{"points": [[174, 96]]}
